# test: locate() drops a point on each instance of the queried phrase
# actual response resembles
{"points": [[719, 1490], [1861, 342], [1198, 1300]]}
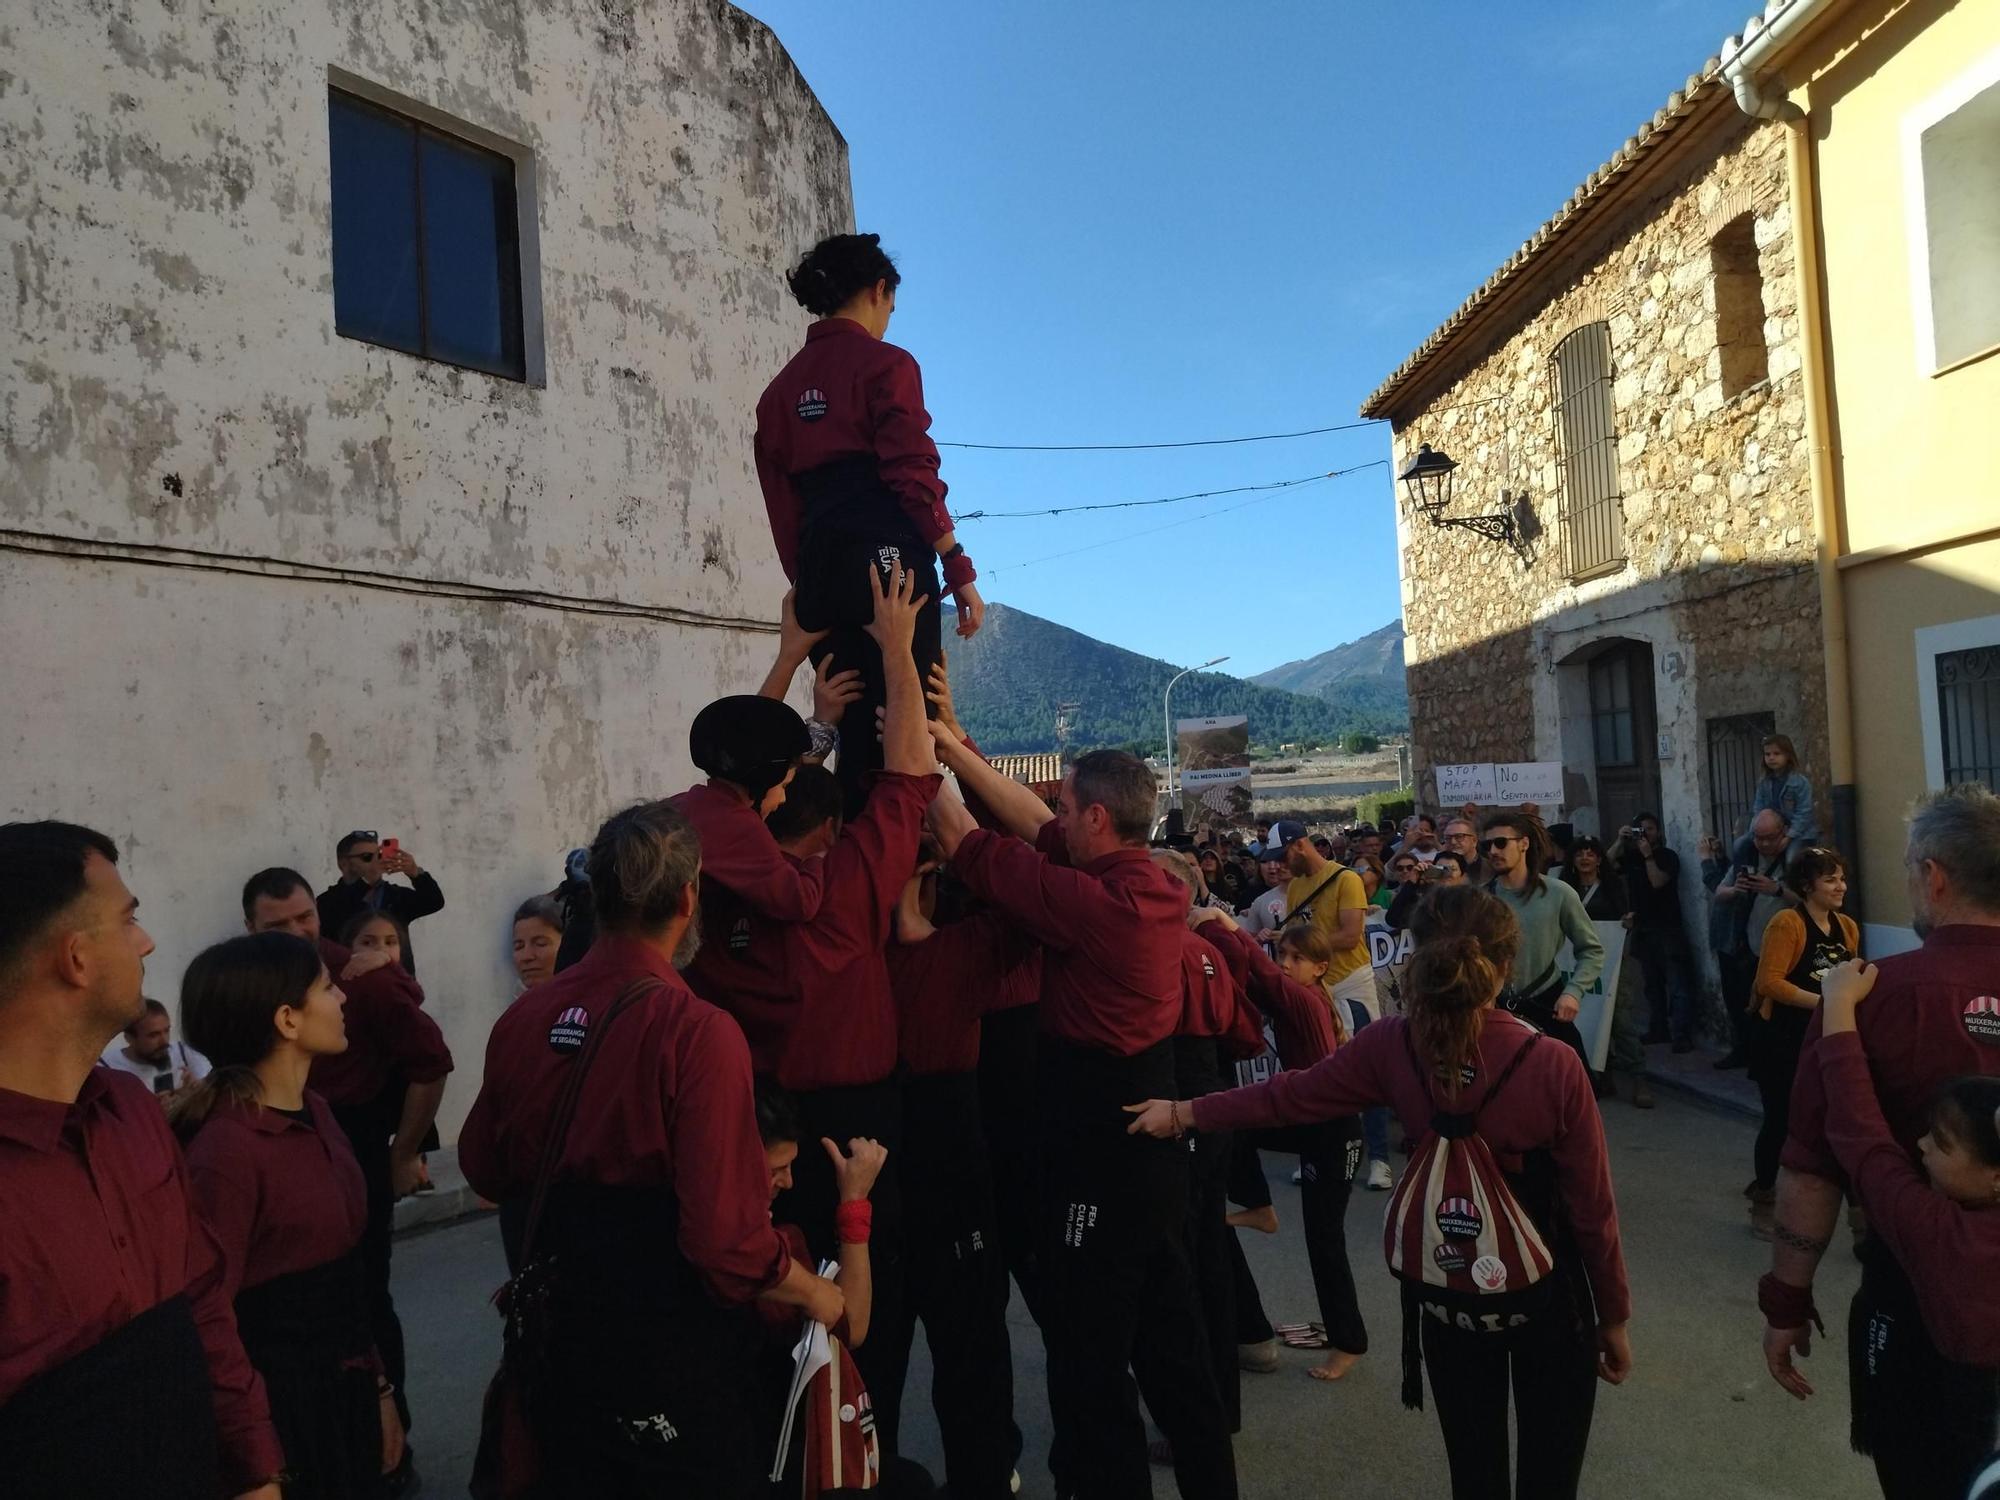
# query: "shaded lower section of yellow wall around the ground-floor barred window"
{"points": [[1887, 605]]}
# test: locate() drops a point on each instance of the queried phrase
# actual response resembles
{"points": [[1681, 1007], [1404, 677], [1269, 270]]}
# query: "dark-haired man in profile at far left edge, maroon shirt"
{"points": [[121, 1371]]}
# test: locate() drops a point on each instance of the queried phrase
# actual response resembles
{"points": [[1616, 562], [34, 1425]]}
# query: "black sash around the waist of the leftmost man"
{"points": [[129, 1417]]}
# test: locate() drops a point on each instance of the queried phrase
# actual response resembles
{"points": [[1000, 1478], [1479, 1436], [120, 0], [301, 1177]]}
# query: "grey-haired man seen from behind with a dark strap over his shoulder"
{"points": [[655, 1233]]}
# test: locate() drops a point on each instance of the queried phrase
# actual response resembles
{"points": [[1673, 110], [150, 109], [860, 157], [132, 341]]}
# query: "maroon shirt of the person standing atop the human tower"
{"points": [[841, 397]]}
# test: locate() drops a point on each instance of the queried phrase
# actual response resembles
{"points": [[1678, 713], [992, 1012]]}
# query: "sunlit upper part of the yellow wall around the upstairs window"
{"points": [[1919, 453]]}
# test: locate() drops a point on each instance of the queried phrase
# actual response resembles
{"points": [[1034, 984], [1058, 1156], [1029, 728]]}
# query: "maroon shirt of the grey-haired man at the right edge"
{"points": [[1933, 1017]]}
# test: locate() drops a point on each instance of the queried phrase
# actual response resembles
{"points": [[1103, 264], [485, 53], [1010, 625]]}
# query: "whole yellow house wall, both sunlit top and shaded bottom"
{"points": [[1917, 455]]}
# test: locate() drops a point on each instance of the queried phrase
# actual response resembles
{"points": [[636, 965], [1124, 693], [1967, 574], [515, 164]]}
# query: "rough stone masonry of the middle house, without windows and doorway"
{"points": [[1717, 509]]}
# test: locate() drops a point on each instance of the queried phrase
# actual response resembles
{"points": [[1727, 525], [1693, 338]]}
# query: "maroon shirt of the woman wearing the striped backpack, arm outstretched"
{"points": [[1549, 1105]]}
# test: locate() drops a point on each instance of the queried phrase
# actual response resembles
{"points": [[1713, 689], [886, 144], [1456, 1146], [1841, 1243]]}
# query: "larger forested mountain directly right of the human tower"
{"points": [[1013, 675]]}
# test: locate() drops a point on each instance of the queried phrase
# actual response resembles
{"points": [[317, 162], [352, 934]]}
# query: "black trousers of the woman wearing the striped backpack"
{"points": [[1551, 1367]]}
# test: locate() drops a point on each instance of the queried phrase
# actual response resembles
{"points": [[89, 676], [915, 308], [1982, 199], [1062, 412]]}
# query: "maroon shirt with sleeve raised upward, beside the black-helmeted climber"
{"points": [[815, 997]]}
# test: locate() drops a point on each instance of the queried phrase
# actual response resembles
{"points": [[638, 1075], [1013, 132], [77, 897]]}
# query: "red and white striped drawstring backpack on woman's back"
{"points": [[1457, 1235]]}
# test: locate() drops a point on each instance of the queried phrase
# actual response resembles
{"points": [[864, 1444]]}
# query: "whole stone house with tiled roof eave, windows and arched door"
{"points": [[1625, 391]]}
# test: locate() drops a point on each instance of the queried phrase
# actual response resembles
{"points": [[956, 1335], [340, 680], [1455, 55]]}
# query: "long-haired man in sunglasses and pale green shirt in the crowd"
{"points": [[1549, 915]]}
